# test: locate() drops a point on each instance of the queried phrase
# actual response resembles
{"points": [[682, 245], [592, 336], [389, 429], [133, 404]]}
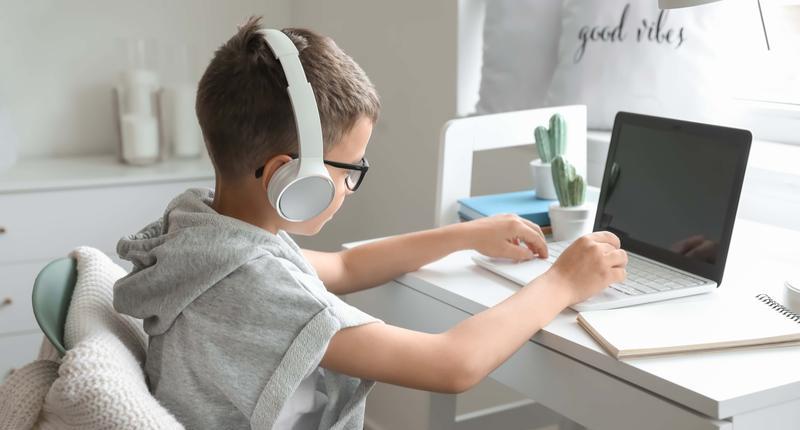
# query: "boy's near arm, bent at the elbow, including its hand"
{"points": [[458, 359]]}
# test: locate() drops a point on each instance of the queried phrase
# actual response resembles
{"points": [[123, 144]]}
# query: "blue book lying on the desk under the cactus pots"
{"points": [[522, 203]]}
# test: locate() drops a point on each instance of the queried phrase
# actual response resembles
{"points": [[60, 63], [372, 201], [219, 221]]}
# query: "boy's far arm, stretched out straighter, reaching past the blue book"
{"points": [[378, 262]]}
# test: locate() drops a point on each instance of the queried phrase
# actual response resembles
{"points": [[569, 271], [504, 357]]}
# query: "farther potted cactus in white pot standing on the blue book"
{"points": [[550, 143]]}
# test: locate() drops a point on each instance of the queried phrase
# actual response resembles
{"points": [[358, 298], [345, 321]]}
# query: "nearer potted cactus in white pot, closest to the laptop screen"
{"points": [[570, 217]]}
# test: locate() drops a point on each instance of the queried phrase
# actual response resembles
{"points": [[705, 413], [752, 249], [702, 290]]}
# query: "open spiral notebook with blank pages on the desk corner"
{"points": [[672, 327]]}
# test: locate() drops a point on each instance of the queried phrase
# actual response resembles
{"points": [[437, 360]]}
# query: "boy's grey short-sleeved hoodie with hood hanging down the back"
{"points": [[237, 319]]}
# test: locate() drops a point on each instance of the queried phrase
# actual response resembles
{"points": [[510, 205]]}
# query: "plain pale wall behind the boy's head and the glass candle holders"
{"points": [[60, 60]]}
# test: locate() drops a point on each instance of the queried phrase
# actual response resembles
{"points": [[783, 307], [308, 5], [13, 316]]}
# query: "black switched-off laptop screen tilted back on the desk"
{"points": [[671, 190]]}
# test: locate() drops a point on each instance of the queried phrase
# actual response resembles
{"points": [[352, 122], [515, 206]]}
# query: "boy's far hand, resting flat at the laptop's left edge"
{"points": [[506, 236]]}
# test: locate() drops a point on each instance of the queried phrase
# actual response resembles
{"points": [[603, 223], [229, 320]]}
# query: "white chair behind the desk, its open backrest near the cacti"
{"points": [[460, 138]]}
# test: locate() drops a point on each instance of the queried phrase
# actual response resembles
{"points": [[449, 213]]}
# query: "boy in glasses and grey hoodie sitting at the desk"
{"points": [[245, 328]]}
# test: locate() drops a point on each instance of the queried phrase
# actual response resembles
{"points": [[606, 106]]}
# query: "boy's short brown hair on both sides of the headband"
{"points": [[244, 109]]}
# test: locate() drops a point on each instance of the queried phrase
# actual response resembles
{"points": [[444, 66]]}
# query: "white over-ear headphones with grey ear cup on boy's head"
{"points": [[302, 188]]}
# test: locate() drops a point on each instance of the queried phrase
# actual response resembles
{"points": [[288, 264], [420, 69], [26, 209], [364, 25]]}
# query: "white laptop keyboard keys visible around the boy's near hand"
{"points": [[644, 277]]}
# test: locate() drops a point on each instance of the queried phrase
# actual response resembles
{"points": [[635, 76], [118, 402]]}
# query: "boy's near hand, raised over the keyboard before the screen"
{"points": [[590, 264]]}
